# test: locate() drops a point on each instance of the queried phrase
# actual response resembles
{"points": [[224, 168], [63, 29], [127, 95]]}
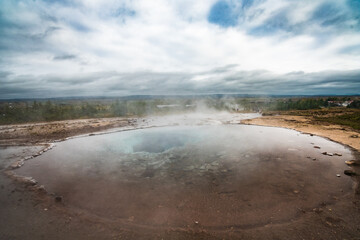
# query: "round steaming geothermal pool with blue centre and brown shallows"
{"points": [[214, 176]]}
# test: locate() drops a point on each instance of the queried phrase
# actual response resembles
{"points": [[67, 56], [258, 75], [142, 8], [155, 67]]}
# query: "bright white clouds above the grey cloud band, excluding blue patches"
{"points": [[165, 36]]}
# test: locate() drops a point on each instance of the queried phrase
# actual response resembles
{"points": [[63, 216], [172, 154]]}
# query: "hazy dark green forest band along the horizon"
{"points": [[51, 110]]}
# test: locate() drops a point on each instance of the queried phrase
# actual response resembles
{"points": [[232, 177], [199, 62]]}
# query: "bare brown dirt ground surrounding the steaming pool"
{"points": [[28, 213]]}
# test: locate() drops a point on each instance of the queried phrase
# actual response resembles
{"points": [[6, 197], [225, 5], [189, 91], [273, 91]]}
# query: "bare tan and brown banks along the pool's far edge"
{"points": [[48, 132]]}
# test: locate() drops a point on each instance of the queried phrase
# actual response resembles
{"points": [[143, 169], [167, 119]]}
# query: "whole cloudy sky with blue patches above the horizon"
{"points": [[63, 48]]}
